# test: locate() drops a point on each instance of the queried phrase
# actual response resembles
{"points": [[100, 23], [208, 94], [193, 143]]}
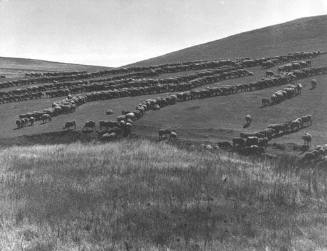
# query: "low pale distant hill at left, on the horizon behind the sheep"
{"points": [[16, 65]]}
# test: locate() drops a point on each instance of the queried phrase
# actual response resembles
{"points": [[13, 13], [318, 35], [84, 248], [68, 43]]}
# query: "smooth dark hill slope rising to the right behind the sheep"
{"points": [[301, 34]]}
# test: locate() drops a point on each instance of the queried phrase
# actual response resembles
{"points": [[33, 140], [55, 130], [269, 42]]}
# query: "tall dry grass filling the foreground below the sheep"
{"points": [[138, 195]]}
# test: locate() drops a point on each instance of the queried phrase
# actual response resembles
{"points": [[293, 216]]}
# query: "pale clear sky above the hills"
{"points": [[119, 32]]}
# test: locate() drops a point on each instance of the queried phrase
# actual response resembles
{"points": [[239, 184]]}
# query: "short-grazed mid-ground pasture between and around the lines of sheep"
{"points": [[202, 120]]}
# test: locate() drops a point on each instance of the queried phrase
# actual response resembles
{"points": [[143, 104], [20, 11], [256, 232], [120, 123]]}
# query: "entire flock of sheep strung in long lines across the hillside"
{"points": [[137, 81]]}
